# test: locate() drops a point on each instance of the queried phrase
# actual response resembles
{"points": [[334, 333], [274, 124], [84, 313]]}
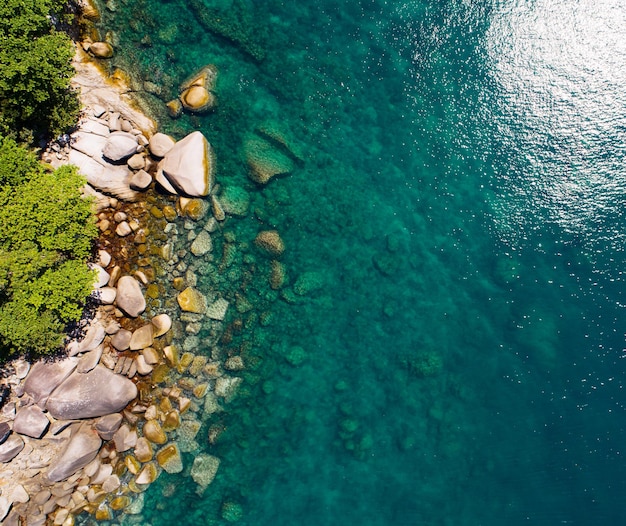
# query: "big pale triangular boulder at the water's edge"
{"points": [[189, 166]]}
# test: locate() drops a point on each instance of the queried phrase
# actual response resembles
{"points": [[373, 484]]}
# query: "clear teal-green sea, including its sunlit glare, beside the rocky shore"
{"points": [[449, 348]]}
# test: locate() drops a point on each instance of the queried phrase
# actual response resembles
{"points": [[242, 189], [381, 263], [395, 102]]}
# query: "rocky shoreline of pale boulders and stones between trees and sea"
{"points": [[90, 432]]}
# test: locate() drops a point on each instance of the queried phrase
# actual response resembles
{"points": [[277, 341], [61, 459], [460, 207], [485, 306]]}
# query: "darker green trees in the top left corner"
{"points": [[35, 71]]}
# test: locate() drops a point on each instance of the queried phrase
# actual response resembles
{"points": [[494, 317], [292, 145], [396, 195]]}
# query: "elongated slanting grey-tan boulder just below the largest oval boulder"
{"points": [[81, 449]]}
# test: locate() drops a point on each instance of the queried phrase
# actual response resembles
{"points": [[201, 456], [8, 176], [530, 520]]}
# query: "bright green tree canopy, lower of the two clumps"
{"points": [[47, 231]]}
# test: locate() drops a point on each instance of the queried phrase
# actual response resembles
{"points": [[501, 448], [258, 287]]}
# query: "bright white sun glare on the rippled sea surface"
{"points": [[559, 68]]}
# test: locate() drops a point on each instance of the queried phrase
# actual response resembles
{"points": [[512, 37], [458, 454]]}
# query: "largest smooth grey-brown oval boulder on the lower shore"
{"points": [[96, 393]]}
